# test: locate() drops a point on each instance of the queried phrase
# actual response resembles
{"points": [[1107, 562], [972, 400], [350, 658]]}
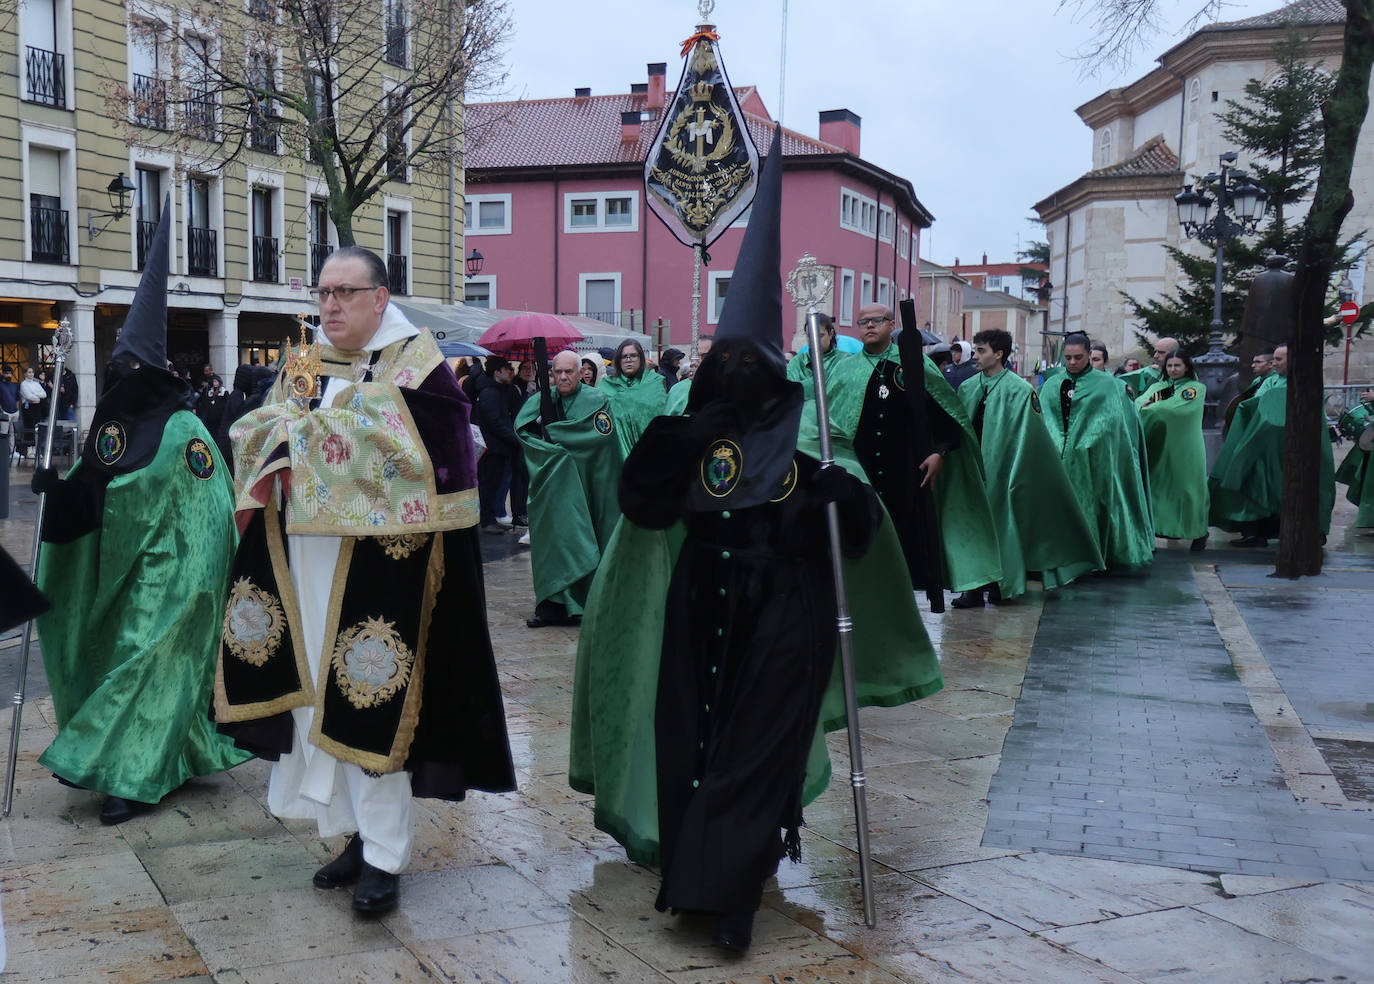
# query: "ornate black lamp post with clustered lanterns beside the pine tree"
{"points": [[1246, 201]]}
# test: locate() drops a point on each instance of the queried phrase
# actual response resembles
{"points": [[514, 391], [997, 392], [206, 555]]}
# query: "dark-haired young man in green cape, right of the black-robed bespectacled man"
{"points": [[1041, 527]]}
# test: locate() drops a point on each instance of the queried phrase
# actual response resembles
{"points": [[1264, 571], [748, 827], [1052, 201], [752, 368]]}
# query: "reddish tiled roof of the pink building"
{"points": [[571, 131]]}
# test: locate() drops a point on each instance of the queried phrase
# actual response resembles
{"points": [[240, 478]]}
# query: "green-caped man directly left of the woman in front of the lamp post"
{"points": [[1092, 424]]}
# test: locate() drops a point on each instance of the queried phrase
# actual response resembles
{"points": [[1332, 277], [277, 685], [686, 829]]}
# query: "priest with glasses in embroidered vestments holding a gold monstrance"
{"points": [[355, 651]]}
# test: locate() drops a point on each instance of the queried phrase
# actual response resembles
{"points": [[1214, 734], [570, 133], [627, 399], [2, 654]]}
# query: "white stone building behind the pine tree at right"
{"points": [[1108, 227]]}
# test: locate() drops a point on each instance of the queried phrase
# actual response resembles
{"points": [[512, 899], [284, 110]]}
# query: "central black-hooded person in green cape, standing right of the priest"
{"points": [[697, 725]]}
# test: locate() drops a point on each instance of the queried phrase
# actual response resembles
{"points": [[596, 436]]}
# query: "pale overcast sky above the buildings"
{"points": [[971, 100]]}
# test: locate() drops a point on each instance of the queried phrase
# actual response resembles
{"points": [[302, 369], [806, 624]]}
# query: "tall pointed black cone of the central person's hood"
{"points": [[754, 306]]}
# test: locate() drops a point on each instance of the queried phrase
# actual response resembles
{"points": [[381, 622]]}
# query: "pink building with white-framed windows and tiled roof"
{"points": [[556, 205]]}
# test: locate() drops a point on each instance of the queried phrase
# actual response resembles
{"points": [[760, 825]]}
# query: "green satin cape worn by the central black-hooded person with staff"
{"points": [[616, 681]]}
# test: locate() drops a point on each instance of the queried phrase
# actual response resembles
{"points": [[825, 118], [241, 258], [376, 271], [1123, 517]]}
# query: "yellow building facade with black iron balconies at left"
{"points": [[97, 96]]}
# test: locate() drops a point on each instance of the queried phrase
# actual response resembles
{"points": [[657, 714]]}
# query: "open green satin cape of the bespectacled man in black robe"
{"points": [[968, 535]]}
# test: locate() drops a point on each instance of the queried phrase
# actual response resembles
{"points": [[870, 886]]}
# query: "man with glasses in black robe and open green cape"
{"points": [[913, 449]]}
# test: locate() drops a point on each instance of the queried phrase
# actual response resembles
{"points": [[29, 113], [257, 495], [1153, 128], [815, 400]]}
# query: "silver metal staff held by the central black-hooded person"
{"points": [[810, 285]]}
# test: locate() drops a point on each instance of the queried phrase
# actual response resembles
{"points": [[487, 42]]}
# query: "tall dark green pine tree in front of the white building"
{"points": [[1279, 131]]}
